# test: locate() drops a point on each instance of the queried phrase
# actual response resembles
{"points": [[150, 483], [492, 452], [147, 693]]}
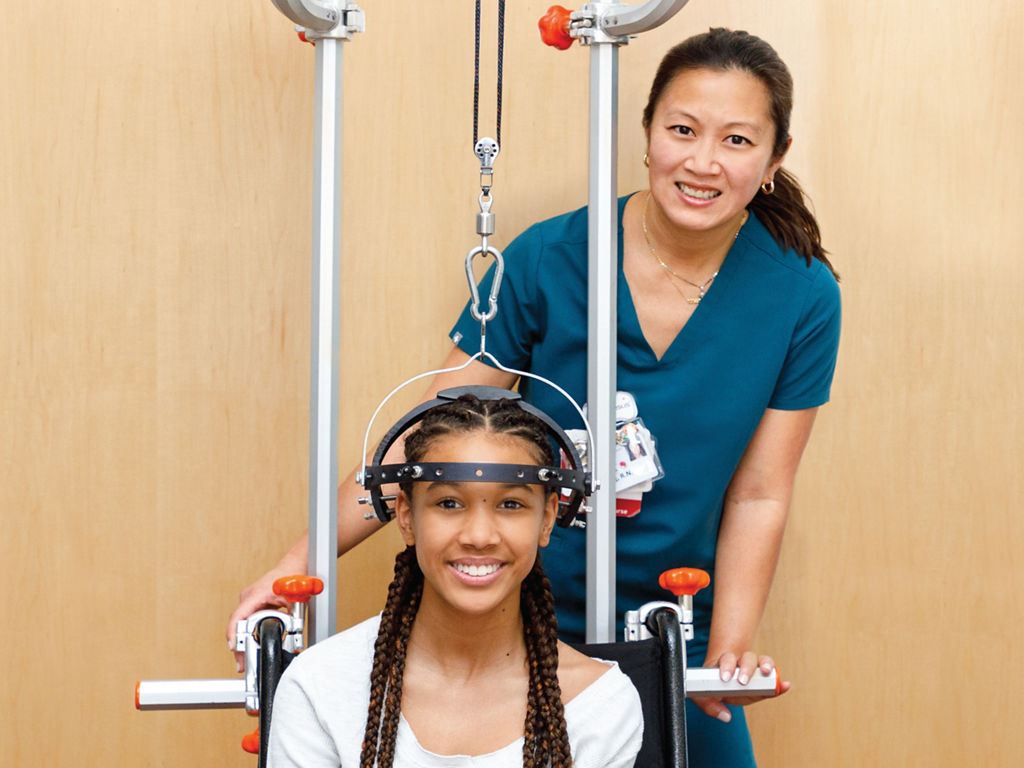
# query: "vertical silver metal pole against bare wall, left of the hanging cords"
{"points": [[323, 616]]}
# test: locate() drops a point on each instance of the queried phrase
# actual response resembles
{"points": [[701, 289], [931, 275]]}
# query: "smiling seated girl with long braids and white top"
{"points": [[463, 667]]}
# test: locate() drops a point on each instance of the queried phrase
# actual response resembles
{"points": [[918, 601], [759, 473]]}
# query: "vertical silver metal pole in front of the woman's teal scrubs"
{"points": [[602, 386]]}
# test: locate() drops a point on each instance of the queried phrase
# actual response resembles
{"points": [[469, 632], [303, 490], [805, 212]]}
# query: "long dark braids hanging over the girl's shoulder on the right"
{"points": [[546, 738]]}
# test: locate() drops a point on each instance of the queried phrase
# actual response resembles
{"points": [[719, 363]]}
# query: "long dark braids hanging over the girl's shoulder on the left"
{"points": [[390, 662]]}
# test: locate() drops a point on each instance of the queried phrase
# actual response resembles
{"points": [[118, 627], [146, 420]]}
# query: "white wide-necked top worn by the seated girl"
{"points": [[320, 715]]}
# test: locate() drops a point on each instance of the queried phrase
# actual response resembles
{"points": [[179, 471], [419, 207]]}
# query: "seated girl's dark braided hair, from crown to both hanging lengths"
{"points": [[545, 738]]}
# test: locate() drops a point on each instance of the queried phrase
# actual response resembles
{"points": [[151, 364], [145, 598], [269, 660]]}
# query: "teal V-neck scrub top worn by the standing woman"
{"points": [[764, 336]]}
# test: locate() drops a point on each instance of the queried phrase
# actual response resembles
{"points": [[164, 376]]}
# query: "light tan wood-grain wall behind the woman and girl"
{"points": [[155, 185]]}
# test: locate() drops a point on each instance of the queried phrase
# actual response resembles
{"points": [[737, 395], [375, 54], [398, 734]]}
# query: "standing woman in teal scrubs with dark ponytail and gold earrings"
{"points": [[729, 328]]}
